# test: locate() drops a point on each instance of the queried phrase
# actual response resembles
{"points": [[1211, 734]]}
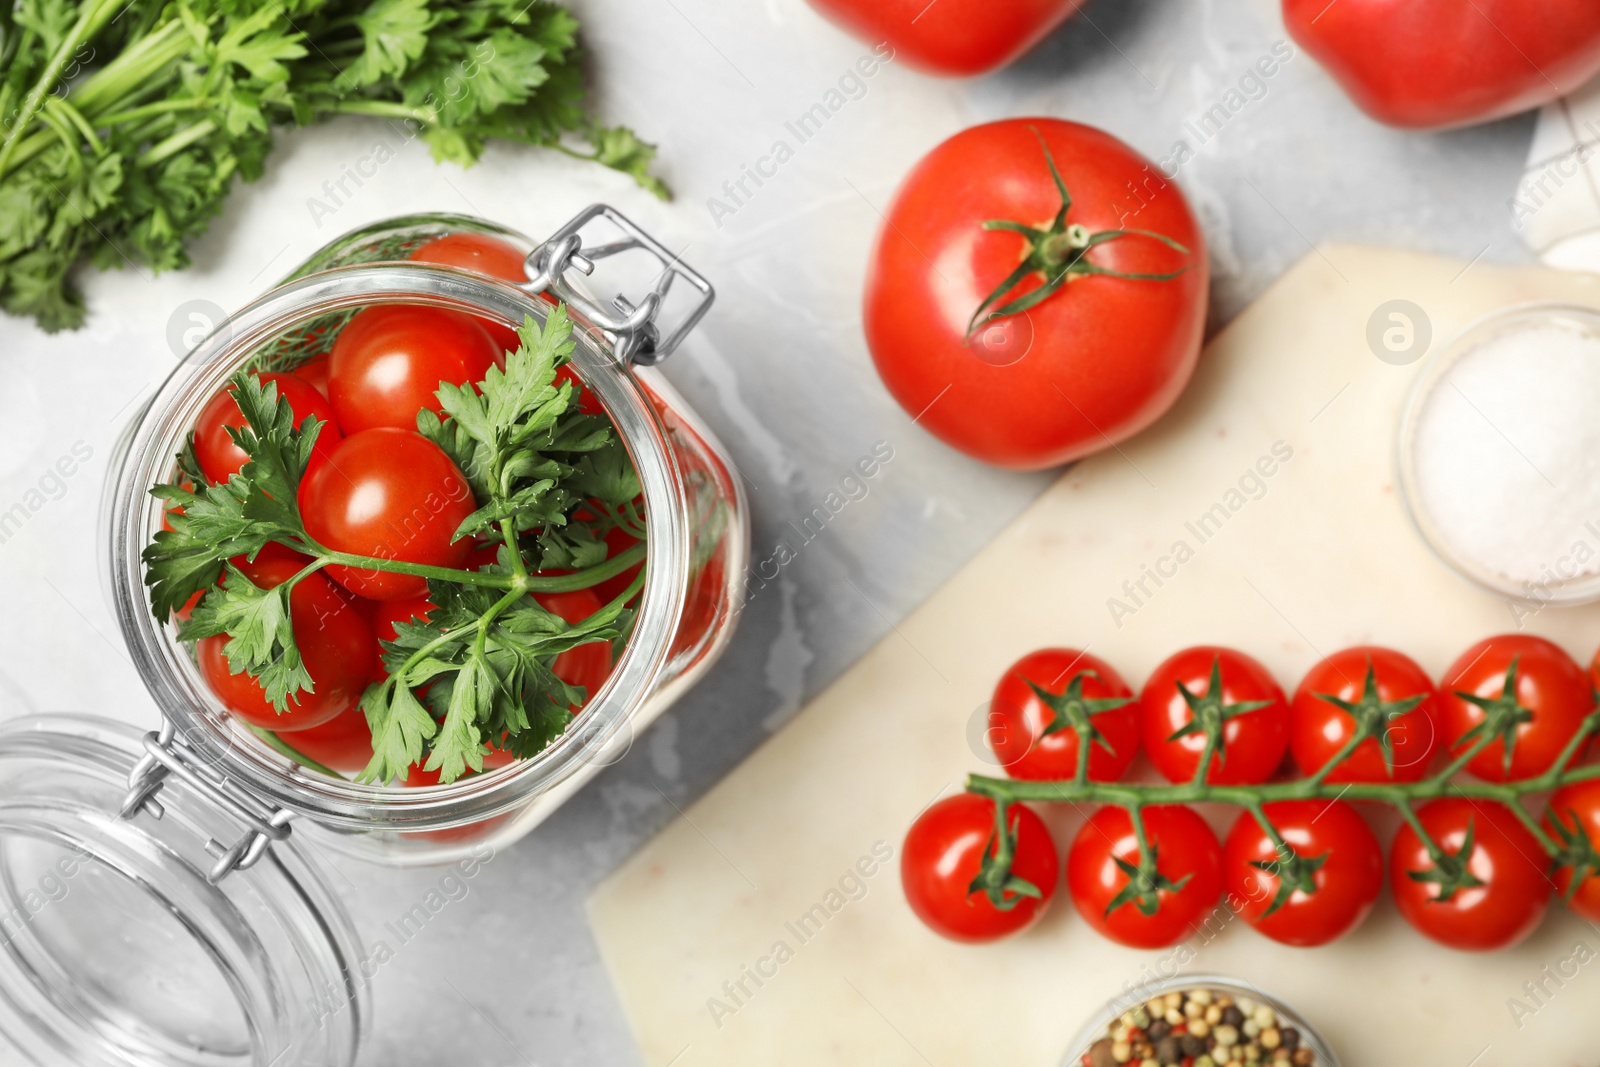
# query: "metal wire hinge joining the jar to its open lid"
{"points": [[167, 754]]}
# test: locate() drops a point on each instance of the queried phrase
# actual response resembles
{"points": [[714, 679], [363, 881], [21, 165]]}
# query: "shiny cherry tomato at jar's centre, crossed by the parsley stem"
{"points": [[391, 495]]}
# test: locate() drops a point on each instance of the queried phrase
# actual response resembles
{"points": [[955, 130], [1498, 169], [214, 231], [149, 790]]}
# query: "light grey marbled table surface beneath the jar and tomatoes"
{"points": [[511, 975]]}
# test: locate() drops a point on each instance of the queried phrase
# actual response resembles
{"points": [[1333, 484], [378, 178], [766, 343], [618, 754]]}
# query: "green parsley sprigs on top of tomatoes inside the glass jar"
{"points": [[550, 482]]}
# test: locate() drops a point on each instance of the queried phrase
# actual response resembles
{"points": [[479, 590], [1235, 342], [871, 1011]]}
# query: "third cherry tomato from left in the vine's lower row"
{"points": [[1319, 895]]}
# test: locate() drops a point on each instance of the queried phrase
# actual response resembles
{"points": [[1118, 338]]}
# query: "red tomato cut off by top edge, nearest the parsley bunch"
{"points": [[953, 38]]}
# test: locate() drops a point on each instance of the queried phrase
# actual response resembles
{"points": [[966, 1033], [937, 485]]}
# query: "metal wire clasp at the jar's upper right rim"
{"points": [[634, 335]]}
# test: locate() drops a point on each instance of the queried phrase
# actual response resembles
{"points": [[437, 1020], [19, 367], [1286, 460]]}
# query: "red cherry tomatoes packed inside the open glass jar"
{"points": [[378, 489]]}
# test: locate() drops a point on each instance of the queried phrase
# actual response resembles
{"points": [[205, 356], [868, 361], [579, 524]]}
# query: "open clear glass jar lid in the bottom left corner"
{"points": [[116, 948]]}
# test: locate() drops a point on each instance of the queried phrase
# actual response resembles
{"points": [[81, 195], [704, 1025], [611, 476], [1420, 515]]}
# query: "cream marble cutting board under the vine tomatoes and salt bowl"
{"points": [[767, 924]]}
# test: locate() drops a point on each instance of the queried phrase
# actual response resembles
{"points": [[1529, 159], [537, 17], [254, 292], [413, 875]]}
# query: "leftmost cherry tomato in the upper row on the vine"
{"points": [[1034, 737]]}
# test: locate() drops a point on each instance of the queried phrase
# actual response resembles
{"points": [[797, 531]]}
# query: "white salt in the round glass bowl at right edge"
{"points": [[1508, 455]]}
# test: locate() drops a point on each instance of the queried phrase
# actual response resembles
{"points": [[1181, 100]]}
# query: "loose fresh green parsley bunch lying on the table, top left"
{"points": [[126, 122]]}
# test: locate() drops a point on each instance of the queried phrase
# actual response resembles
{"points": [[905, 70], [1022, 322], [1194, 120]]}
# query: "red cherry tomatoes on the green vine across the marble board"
{"points": [[1476, 877]]}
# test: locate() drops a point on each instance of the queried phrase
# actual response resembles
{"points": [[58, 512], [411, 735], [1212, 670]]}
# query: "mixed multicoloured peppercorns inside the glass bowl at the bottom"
{"points": [[1199, 1028]]}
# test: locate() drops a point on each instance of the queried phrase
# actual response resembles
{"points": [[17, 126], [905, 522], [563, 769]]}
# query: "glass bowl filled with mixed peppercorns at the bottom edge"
{"points": [[1199, 1021]]}
